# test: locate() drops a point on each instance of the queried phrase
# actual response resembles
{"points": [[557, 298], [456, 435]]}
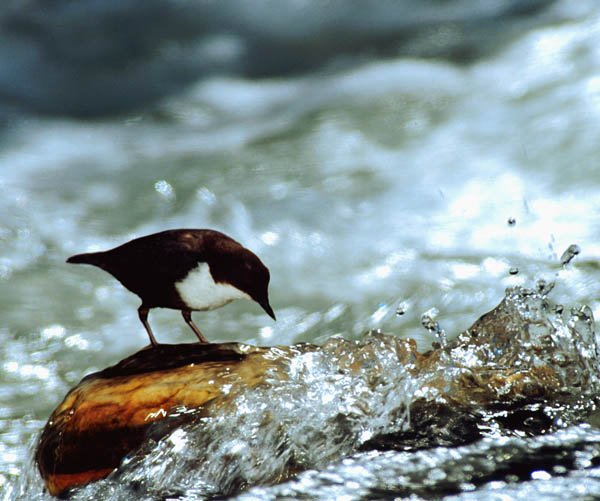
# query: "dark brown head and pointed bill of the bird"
{"points": [[244, 270]]}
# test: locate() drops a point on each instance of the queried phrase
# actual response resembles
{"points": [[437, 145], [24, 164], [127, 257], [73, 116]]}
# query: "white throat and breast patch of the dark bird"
{"points": [[200, 292]]}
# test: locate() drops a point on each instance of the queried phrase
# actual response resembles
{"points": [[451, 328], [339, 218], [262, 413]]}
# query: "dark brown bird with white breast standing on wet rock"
{"points": [[185, 270]]}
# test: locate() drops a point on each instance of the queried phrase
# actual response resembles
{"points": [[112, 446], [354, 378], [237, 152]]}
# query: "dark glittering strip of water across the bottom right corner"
{"points": [[494, 465]]}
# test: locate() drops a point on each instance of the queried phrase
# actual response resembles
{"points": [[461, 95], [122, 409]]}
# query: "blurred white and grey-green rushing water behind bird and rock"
{"points": [[384, 159]]}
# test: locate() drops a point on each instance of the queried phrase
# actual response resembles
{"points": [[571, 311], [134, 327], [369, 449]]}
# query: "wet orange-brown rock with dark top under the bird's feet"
{"points": [[108, 414]]}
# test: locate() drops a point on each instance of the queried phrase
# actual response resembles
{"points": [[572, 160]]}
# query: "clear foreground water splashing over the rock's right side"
{"points": [[520, 370]]}
